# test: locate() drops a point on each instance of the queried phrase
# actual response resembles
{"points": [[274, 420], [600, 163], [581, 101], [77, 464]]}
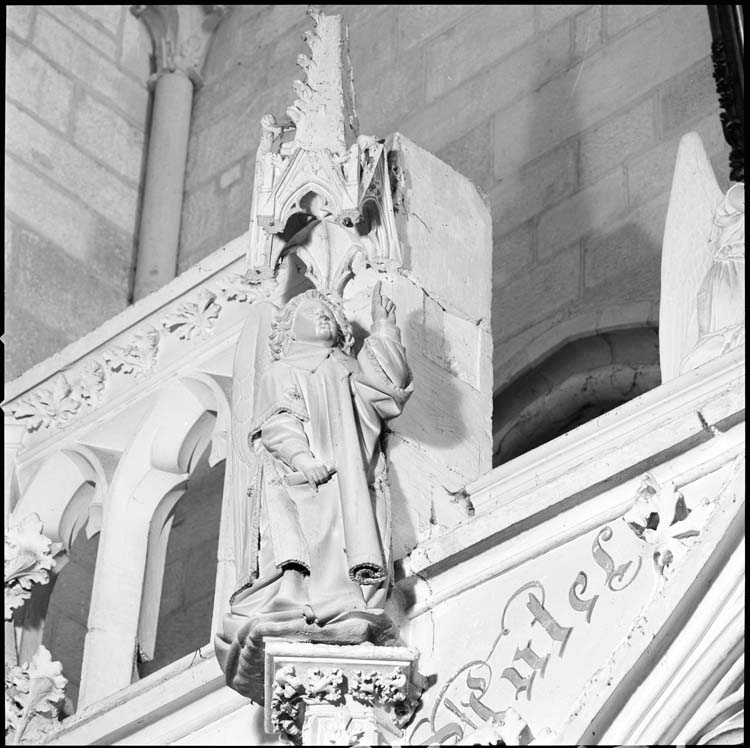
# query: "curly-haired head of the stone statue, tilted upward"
{"points": [[311, 318]]}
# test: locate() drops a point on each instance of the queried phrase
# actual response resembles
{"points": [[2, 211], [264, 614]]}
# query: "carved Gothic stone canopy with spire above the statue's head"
{"points": [[321, 190]]}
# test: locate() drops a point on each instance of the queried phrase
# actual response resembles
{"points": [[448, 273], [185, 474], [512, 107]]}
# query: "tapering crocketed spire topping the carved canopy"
{"points": [[324, 111]]}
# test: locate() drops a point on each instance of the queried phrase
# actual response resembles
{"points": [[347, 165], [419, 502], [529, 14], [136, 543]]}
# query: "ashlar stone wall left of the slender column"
{"points": [[76, 113]]}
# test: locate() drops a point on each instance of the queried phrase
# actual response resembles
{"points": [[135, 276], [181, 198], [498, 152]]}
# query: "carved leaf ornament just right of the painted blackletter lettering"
{"points": [[661, 518]]}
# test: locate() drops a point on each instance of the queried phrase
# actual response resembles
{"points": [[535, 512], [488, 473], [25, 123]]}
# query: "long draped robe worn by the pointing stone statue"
{"points": [[321, 401]]}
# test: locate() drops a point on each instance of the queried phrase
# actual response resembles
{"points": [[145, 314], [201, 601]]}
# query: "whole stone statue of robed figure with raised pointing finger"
{"points": [[316, 538]]}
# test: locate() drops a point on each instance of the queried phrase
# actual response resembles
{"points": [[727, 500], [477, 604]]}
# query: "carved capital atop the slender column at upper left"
{"points": [[181, 35]]}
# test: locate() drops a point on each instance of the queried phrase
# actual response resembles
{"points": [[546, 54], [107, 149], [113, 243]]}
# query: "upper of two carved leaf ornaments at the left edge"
{"points": [[28, 559]]}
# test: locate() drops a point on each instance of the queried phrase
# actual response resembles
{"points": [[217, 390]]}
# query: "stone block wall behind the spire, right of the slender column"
{"points": [[567, 116]]}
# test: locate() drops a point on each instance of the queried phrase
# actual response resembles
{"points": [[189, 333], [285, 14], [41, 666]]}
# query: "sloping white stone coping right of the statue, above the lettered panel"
{"points": [[611, 449]]}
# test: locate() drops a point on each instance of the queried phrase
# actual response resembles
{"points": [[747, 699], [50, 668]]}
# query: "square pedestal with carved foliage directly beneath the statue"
{"points": [[322, 694]]}
